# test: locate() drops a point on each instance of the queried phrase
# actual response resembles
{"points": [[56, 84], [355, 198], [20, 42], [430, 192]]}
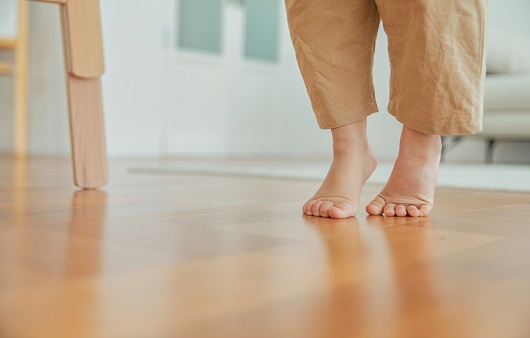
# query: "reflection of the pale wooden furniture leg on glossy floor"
{"points": [[80, 304]]}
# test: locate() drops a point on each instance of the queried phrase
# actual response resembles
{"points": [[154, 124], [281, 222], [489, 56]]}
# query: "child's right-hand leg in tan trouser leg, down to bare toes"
{"points": [[436, 51]]}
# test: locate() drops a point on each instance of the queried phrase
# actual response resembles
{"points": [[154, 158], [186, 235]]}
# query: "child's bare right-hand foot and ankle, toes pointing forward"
{"points": [[410, 188]]}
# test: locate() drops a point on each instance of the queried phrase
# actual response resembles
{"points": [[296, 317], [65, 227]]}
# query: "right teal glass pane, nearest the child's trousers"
{"points": [[262, 29]]}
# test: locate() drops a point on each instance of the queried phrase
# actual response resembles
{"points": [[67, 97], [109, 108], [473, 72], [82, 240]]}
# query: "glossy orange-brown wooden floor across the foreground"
{"points": [[156, 256]]}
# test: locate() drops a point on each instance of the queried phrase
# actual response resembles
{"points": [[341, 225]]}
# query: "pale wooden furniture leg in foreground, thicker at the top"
{"points": [[83, 50]]}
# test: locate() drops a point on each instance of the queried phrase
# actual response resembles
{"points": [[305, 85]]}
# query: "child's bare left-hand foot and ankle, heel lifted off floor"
{"points": [[353, 163]]}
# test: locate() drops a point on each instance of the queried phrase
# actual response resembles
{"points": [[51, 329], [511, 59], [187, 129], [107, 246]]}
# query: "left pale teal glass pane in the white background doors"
{"points": [[200, 25]]}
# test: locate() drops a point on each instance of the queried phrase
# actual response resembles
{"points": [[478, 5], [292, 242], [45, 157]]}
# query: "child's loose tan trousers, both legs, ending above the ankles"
{"points": [[436, 51]]}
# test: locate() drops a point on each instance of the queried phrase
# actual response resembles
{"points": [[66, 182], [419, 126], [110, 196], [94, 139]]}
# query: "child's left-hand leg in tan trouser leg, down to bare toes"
{"points": [[334, 42]]}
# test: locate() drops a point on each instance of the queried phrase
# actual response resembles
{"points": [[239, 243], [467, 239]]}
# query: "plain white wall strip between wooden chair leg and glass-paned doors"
{"points": [[132, 84]]}
